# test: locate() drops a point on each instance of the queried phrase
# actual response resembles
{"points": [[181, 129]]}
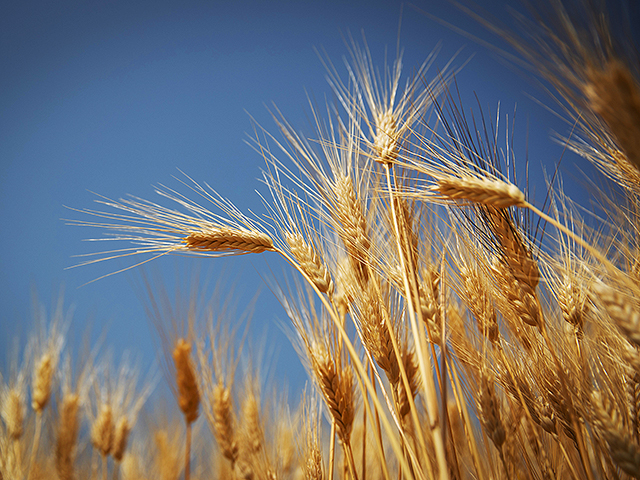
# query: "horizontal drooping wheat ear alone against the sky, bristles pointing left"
{"points": [[223, 239]]}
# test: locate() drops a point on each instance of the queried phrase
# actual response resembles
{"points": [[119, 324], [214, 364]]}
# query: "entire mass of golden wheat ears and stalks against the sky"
{"points": [[451, 328]]}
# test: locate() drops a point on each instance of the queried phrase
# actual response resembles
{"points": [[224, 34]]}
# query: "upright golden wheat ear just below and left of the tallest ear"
{"points": [[353, 229]]}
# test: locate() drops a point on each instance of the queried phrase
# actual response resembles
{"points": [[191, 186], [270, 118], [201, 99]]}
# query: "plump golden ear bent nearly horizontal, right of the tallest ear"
{"points": [[495, 193]]}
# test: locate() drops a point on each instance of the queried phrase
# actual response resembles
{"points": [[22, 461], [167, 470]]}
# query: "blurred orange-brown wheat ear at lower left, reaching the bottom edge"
{"points": [[67, 436]]}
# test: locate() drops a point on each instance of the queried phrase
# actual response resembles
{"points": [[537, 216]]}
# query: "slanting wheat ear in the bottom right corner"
{"points": [[623, 451]]}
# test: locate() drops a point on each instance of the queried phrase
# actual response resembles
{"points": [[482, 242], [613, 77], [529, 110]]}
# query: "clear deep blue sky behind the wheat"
{"points": [[115, 97]]}
